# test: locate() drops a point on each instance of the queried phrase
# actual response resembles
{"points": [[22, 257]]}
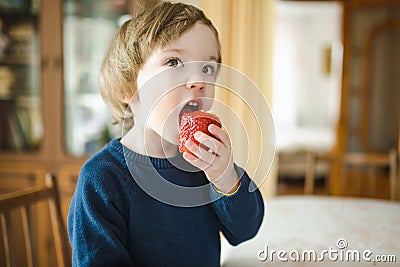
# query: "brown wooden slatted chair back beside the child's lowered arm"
{"points": [[23, 201]]}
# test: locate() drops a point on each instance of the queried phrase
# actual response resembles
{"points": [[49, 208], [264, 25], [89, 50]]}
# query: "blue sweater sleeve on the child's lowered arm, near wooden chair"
{"points": [[96, 222]]}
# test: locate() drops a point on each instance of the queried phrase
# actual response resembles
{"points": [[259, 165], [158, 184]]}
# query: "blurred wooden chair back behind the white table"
{"points": [[363, 161]]}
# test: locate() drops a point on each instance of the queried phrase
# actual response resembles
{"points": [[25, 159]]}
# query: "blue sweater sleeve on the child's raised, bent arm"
{"points": [[240, 214]]}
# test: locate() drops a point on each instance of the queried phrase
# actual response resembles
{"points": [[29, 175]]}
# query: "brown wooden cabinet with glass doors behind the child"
{"points": [[37, 42]]}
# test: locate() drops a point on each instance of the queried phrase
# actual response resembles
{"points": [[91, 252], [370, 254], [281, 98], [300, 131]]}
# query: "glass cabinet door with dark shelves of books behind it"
{"points": [[21, 126]]}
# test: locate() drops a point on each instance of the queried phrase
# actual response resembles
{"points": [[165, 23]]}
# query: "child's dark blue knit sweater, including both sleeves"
{"points": [[113, 222]]}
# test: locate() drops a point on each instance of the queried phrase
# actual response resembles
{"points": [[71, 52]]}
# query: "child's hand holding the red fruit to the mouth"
{"points": [[215, 159]]}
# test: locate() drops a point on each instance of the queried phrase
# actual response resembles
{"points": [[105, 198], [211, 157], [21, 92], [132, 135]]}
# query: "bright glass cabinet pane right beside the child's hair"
{"points": [[89, 26]]}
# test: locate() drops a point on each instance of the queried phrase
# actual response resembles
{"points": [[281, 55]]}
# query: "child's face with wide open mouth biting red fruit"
{"points": [[176, 79]]}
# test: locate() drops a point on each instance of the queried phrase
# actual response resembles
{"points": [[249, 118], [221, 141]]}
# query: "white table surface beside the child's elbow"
{"points": [[302, 225]]}
